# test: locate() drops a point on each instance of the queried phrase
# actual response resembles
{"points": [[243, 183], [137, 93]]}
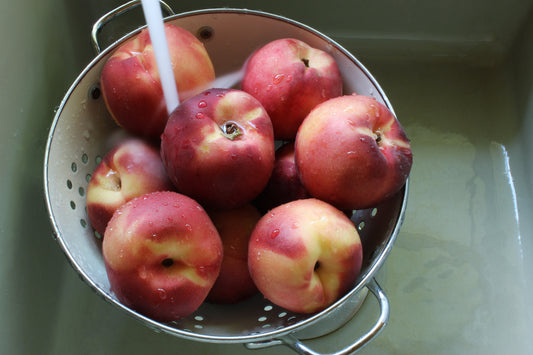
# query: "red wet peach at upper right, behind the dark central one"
{"points": [[290, 78]]}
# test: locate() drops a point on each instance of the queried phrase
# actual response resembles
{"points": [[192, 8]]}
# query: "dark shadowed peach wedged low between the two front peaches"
{"points": [[234, 226]]}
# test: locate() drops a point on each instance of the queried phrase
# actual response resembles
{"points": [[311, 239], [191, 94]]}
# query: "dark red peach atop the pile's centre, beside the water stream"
{"points": [[218, 148]]}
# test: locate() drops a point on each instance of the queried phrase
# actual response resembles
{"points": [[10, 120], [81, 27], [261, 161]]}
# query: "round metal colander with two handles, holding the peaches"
{"points": [[82, 132]]}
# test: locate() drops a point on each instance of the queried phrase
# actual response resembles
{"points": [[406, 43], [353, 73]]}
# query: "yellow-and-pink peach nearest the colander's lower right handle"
{"points": [[304, 255]]}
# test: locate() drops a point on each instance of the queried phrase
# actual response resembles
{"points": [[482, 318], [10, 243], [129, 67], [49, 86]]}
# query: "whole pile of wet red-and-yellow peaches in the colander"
{"points": [[238, 191]]}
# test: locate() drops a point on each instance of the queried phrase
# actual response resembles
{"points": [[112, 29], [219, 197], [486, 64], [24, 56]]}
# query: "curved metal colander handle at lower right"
{"points": [[295, 344]]}
